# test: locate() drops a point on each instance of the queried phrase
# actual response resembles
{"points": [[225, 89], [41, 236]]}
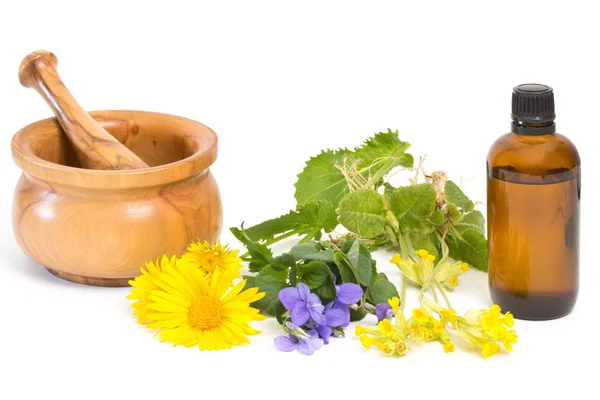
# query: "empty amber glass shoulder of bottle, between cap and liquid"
{"points": [[534, 155]]}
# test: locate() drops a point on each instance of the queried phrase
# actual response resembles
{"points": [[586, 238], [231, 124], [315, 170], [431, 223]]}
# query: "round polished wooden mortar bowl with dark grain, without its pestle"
{"points": [[99, 227]]}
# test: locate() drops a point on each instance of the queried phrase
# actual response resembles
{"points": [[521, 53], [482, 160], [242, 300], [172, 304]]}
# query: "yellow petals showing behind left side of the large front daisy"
{"points": [[146, 283]]}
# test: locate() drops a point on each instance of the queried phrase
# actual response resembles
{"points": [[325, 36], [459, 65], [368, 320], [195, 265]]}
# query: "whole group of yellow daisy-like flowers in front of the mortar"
{"points": [[193, 301]]}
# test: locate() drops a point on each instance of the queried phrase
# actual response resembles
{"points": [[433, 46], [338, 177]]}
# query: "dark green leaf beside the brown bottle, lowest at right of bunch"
{"points": [[469, 246]]}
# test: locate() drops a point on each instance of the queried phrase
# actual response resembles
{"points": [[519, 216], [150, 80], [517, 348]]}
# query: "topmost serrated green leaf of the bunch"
{"points": [[384, 147]]}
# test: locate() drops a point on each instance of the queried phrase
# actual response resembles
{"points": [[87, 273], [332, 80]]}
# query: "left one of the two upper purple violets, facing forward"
{"points": [[302, 304]]}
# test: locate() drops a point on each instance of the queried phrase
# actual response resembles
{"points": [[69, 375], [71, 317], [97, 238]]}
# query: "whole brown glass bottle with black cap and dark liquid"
{"points": [[533, 196]]}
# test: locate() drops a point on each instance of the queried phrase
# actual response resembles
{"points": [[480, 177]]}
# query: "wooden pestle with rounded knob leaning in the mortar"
{"points": [[94, 146]]}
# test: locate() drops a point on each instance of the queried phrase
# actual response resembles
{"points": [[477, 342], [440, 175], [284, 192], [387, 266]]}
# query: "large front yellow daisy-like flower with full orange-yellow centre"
{"points": [[190, 311]]}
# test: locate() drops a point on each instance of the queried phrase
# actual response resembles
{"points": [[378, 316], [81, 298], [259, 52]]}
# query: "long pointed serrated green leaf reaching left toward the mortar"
{"points": [[308, 217]]}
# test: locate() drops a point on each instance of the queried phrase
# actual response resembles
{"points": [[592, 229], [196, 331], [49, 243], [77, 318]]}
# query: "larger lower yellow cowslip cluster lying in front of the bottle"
{"points": [[480, 329]]}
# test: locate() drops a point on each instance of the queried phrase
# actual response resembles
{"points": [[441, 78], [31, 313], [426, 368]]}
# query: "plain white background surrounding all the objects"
{"points": [[278, 81]]}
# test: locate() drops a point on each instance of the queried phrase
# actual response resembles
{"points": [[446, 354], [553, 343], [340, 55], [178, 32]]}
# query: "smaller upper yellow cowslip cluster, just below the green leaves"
{"points": [[420, 272]]}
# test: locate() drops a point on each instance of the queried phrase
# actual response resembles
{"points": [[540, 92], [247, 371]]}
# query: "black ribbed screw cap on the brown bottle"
{"points": [[533, 109]]}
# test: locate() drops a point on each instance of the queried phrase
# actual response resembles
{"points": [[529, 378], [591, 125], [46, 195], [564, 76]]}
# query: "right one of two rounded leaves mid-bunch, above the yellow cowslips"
{"points": [[412, 205]]}
